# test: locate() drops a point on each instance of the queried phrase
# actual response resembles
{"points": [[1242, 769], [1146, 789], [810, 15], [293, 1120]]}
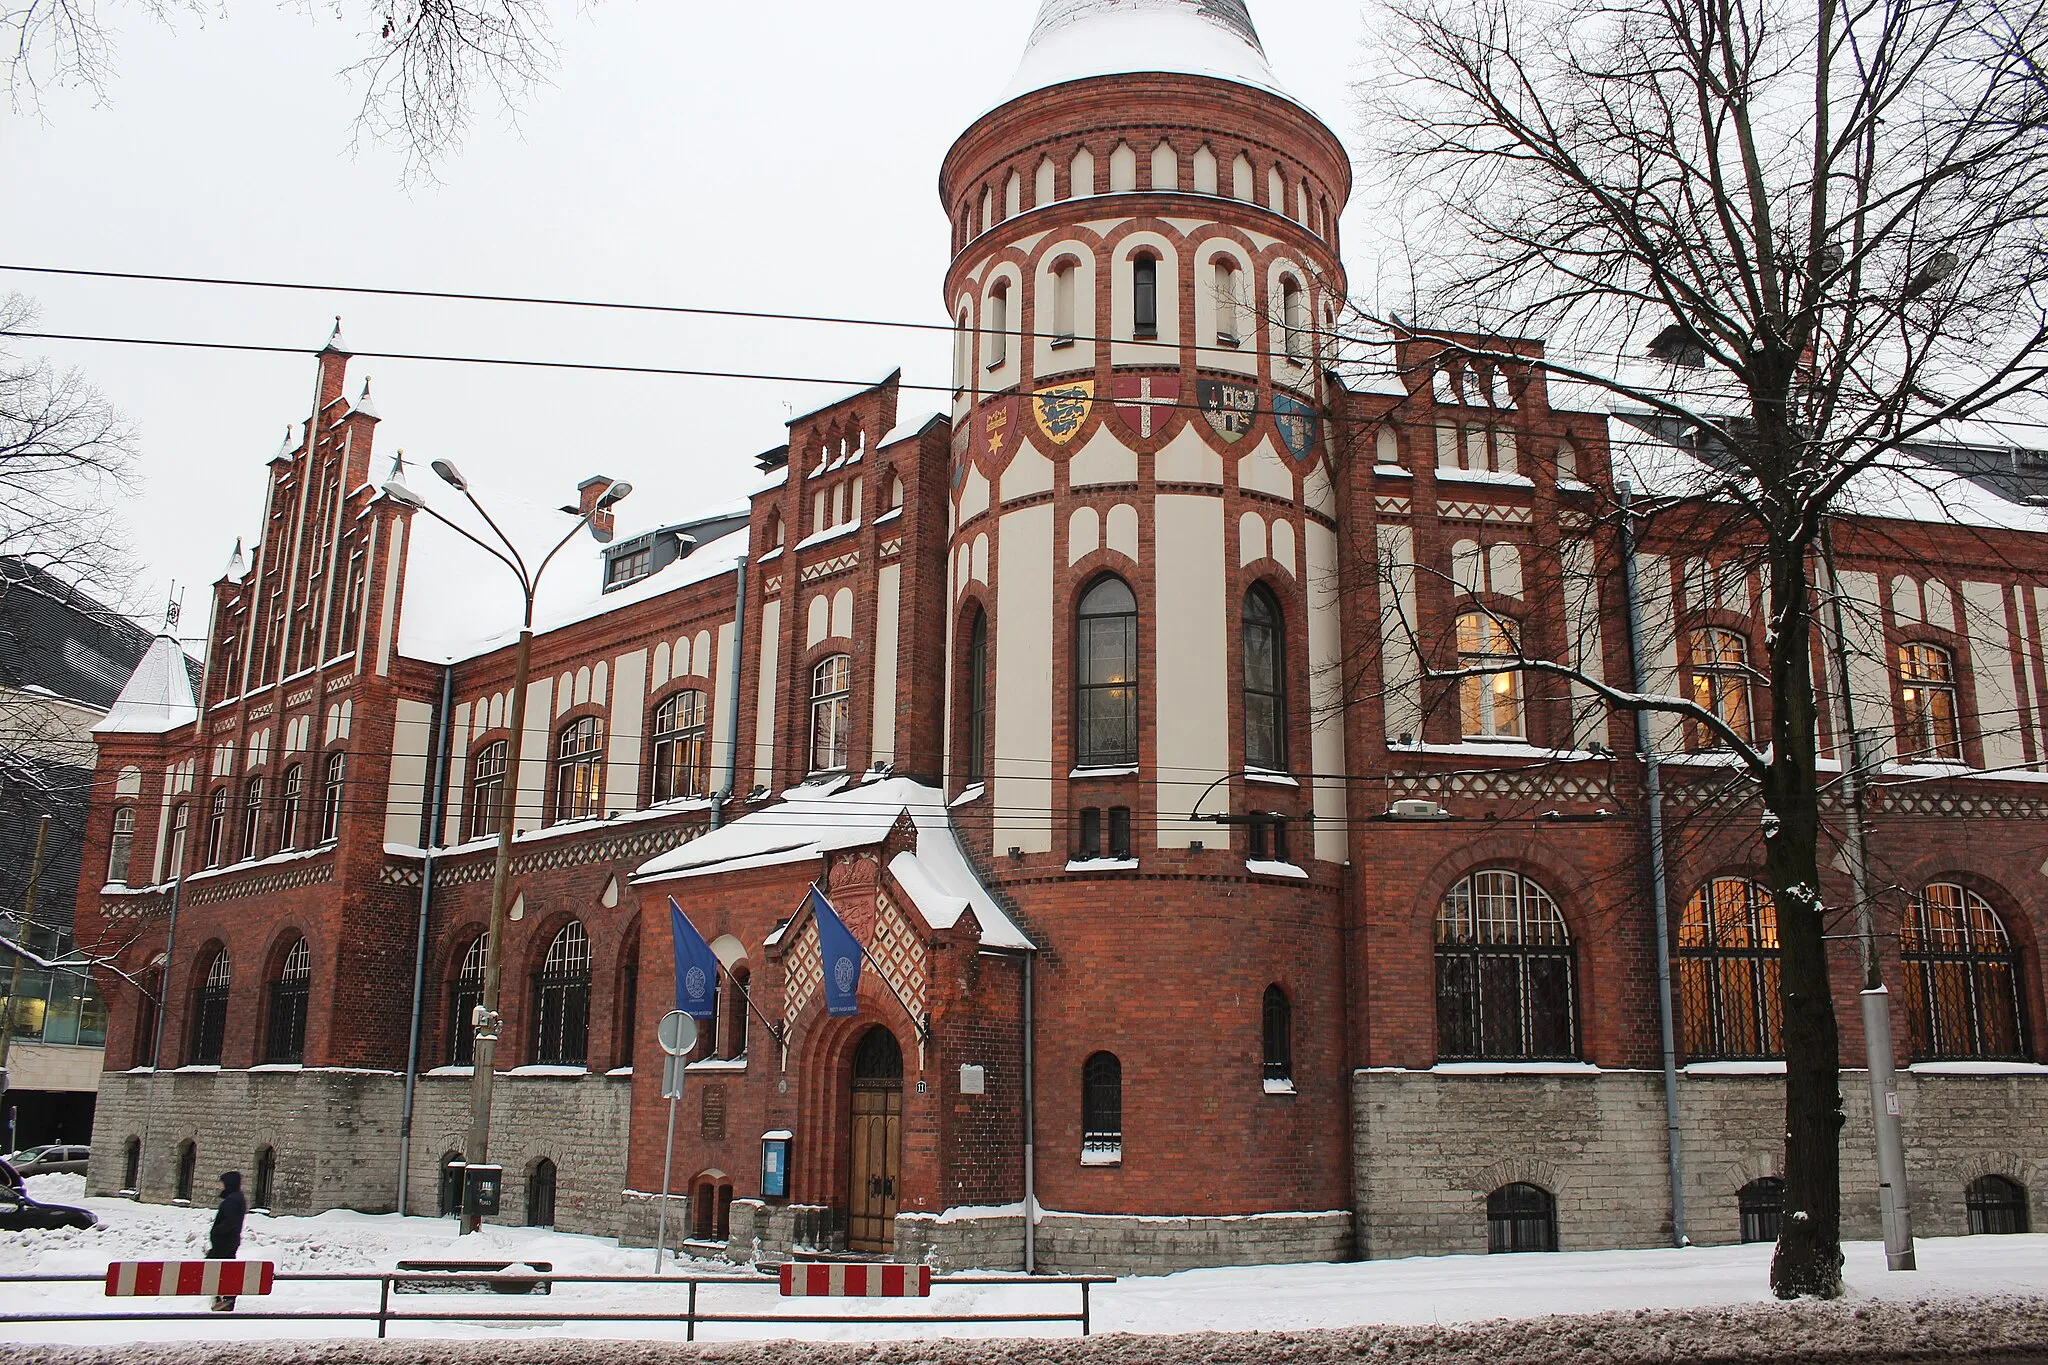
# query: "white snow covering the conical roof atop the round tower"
{"points": [[1076, 40]]}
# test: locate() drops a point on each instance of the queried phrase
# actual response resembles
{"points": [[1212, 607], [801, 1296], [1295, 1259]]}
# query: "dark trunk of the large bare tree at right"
{"points": [[1809, 1243]]}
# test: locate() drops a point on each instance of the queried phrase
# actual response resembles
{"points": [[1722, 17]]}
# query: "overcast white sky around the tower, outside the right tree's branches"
{"points": [[777, 157]]}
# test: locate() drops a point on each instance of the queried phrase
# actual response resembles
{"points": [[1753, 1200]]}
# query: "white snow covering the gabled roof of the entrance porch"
{"points": [[937, 877]]}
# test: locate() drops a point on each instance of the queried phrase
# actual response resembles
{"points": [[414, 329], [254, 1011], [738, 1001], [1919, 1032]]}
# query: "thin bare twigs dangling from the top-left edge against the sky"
{"points": [[423, 75]]}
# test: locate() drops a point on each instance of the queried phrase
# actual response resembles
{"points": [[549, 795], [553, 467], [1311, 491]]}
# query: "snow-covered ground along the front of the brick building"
{"points": [[1230, 1301]]}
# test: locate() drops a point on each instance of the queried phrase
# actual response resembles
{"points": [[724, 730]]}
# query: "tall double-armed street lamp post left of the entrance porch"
{"points": [[486, 1018]]}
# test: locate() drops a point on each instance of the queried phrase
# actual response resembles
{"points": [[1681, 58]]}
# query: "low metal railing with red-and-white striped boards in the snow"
{"points": [[386, 1315]]}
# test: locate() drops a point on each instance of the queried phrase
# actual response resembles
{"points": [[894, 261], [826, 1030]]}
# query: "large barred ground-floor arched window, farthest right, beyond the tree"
{"points": [[1963, 979]]}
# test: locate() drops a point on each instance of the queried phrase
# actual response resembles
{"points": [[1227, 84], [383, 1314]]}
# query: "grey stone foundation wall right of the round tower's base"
{"points": [[1435, 1145]]}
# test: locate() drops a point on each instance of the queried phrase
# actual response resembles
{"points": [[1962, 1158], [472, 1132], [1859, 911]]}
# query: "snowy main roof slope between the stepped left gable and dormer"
{"points": [[462, 605]]}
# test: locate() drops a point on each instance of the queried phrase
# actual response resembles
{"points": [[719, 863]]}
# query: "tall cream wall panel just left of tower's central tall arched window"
{"points": [[1023, 770]]}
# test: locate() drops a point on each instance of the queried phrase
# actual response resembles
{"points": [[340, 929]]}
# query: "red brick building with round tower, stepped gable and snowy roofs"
{"points": [[1091, 705]]}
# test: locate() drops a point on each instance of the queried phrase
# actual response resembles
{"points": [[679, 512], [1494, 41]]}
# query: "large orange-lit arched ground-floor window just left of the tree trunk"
{"points": [[1727, 973]]}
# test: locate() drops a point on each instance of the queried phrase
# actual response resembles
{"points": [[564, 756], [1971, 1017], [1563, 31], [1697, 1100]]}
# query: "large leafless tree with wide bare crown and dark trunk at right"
{"points": [[1832, 216]]}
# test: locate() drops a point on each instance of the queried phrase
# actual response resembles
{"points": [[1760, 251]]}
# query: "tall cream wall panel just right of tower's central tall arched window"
{"points": [[1193, 635]]}
